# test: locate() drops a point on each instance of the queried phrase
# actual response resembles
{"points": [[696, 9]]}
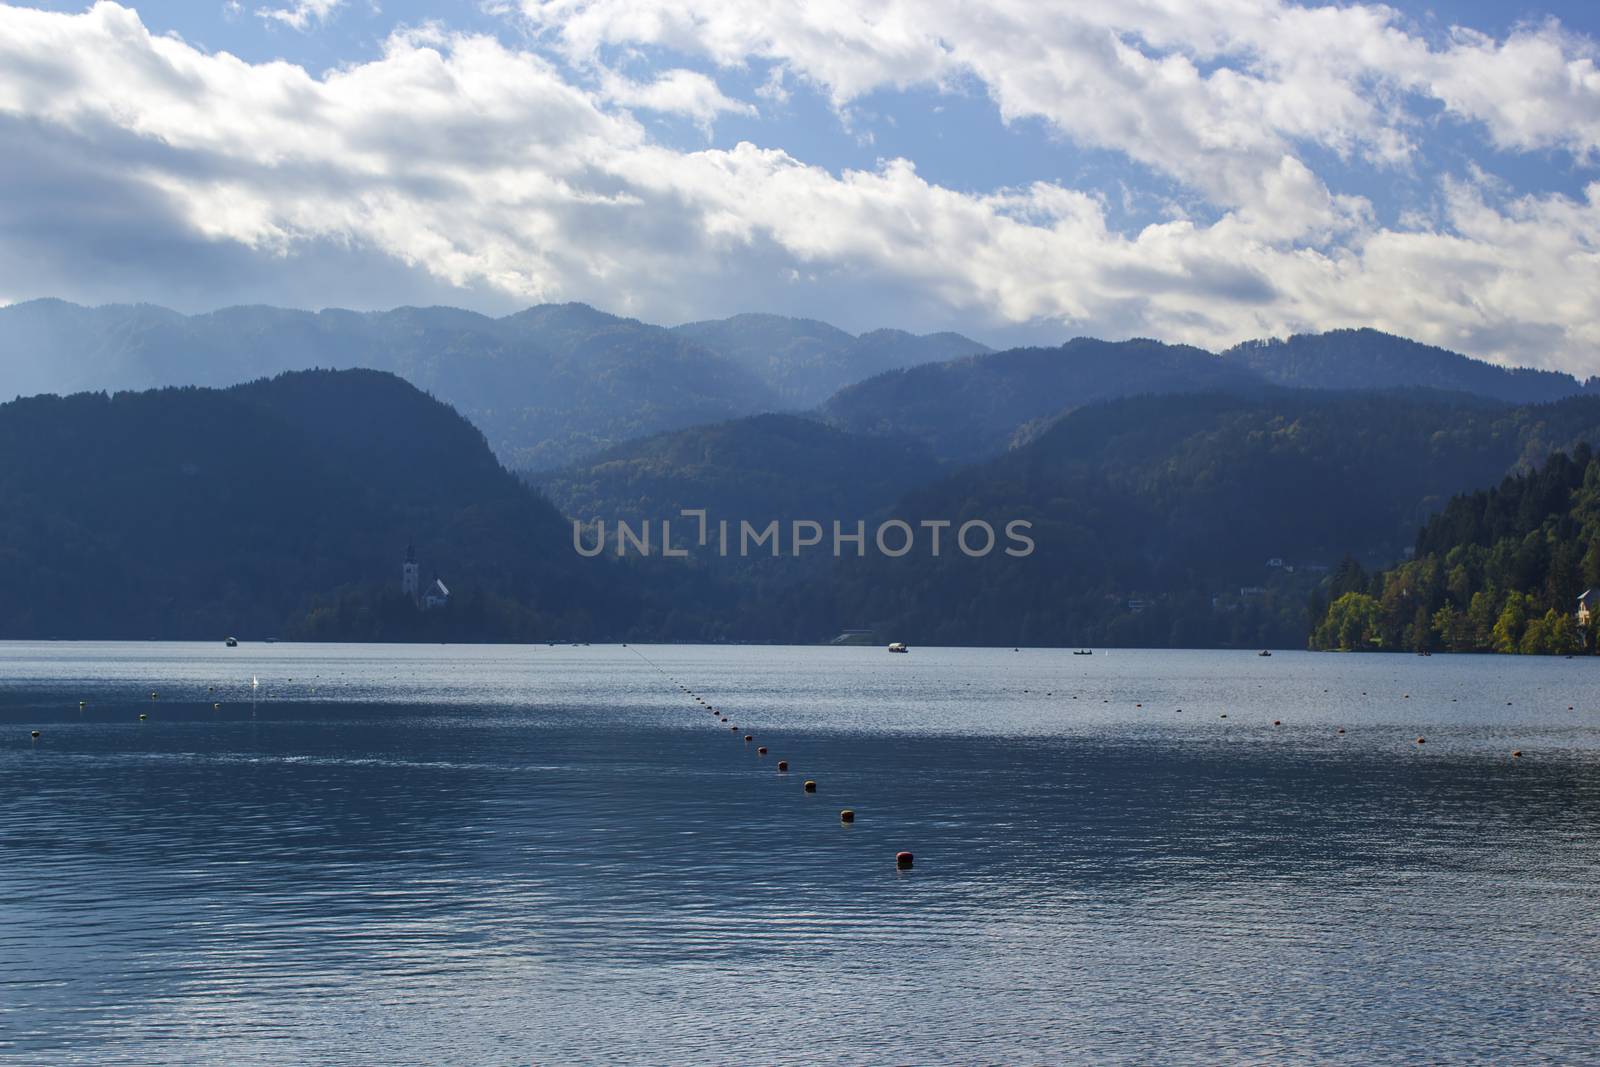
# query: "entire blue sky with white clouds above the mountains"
{"points": [[1022, 170]]}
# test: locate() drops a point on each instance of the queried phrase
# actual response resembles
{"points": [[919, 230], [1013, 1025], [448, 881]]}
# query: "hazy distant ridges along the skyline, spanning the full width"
{"points": [[558, 385]]}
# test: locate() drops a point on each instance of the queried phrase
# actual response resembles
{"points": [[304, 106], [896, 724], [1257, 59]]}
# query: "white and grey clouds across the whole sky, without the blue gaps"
{"points": [[505, 174]]}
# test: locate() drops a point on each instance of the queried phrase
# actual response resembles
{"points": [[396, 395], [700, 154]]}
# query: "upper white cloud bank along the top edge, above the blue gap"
{"points": [[1210, 92]]}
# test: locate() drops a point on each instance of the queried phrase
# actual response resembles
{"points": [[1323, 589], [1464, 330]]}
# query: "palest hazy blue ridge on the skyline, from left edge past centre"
{"points": [[546, 385]]}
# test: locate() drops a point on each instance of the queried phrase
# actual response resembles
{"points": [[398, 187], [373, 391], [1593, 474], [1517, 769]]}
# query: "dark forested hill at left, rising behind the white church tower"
{"points": [[199, 514]]}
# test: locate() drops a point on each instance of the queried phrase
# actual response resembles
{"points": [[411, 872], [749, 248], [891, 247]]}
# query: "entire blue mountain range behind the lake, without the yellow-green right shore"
{"points": [[1175, 495]]}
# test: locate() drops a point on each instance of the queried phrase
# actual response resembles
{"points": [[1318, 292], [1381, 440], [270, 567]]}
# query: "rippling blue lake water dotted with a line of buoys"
{"points": [[428, 855]]}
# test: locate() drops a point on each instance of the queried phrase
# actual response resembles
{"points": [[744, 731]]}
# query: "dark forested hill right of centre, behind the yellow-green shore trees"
{"points": [[1196, 521]]}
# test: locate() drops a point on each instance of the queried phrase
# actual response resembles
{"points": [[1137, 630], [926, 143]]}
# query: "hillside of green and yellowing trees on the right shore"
{"points": [[1497, 570]]}
